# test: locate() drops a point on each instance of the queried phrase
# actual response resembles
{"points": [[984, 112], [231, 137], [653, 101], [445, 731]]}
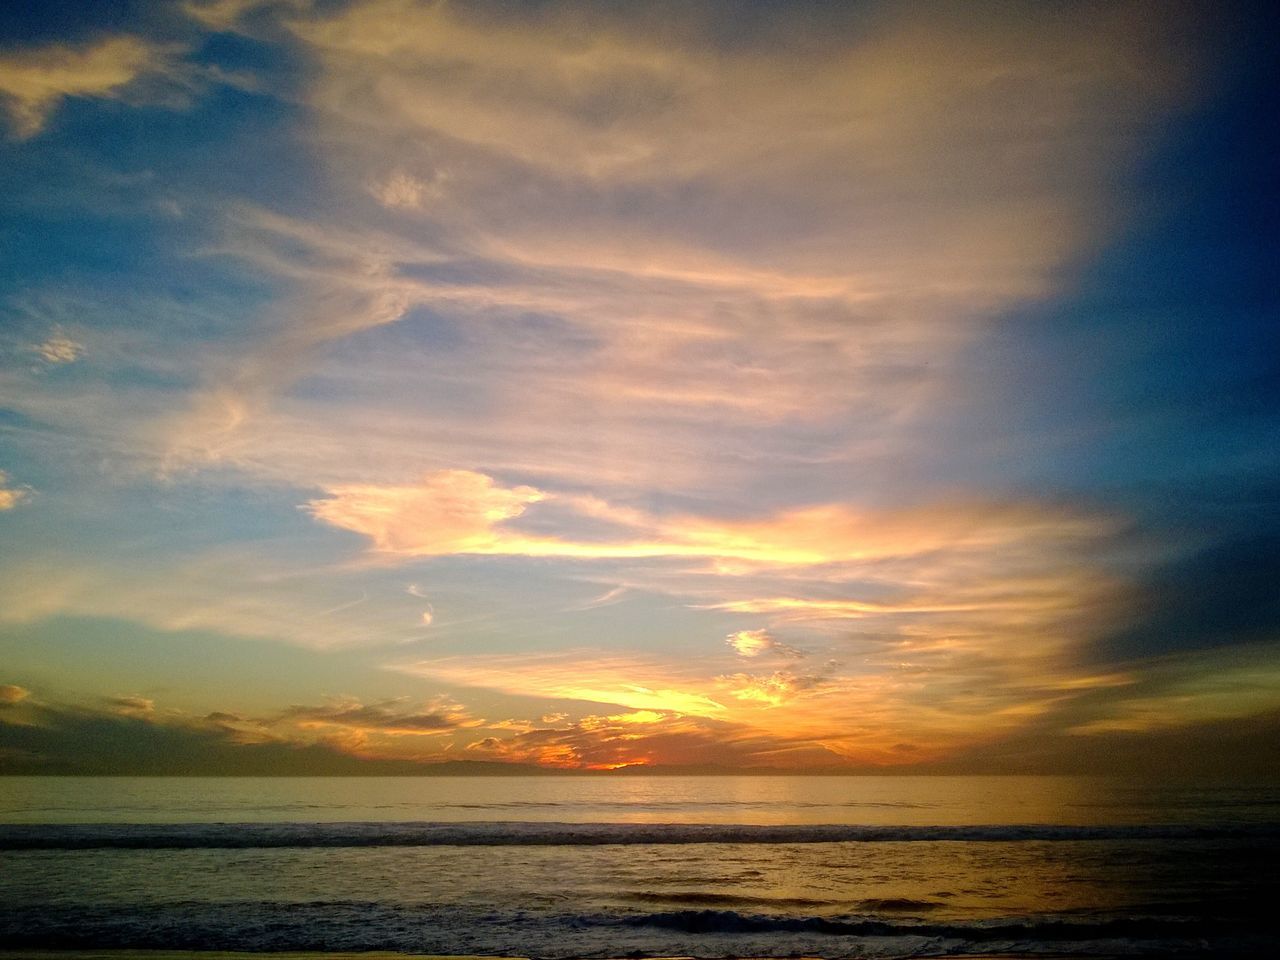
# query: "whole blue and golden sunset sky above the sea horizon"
{"points": [[870, 387]]}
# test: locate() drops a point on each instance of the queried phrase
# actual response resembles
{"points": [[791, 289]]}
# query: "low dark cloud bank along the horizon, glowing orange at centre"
{"points": [[40, 737]]}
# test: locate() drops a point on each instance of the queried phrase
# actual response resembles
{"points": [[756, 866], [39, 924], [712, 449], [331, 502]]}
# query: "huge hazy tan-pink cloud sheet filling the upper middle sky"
{"points": [[632, 237]]}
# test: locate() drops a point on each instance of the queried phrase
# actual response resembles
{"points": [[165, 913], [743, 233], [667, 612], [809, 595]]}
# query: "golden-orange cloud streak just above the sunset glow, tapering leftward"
{"points": [[944, 697]]}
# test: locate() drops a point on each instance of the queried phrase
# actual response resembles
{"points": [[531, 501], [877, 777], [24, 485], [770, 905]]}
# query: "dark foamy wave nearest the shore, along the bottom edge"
{"points": [[368, 927]]}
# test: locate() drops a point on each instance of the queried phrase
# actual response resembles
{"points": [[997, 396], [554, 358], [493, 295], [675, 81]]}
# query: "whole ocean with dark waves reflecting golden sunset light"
{"points": [[633, 866]]}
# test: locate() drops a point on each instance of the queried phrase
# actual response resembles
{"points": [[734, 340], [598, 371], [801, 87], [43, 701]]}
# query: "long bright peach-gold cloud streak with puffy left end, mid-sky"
{"points": [[467, 513]]}
